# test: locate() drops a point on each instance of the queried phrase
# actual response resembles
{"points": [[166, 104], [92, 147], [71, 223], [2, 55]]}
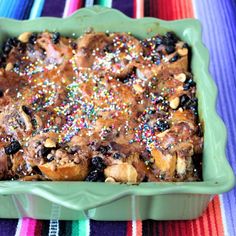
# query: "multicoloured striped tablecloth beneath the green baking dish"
{"points": [[218, 18]]}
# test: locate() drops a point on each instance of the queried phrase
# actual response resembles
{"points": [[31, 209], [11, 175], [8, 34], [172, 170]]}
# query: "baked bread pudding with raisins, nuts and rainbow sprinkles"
{"points": [[101, 107]]}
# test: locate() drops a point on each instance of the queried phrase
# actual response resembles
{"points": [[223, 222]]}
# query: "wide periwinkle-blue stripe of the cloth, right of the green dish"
{"points": [[219, 34]]}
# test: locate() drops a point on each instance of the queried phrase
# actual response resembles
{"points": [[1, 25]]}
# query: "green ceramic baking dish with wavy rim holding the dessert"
{"points": [[104, 201]]}
